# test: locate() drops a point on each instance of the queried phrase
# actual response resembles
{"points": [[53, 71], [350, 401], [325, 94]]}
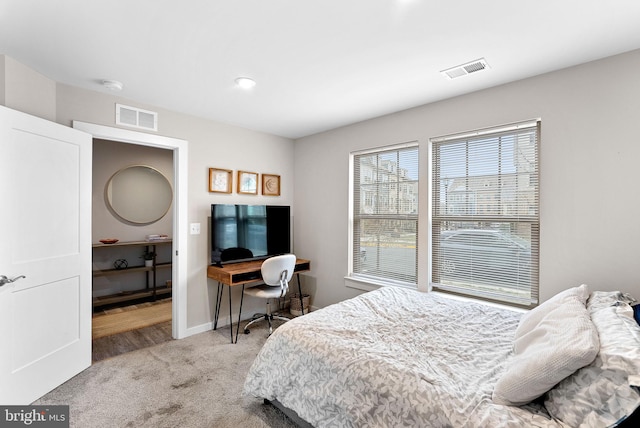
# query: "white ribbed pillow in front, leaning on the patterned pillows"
{"points": [[564, 340]]}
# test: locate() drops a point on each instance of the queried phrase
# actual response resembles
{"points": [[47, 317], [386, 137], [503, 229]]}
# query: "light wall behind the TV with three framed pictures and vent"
{"points": [[211, 144]]}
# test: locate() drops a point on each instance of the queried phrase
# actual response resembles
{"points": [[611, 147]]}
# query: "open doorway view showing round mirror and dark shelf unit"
{"points": [[131, 288]]}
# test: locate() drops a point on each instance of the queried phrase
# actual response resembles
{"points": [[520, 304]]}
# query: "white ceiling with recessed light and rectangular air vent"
{"points": [[318, 64]]}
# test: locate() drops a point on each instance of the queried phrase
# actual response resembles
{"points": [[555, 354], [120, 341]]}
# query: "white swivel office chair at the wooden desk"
{"points": [[276, 271]]}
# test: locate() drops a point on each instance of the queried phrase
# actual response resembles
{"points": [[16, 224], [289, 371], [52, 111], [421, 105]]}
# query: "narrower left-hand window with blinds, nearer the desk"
{"points": [[384, 220]]}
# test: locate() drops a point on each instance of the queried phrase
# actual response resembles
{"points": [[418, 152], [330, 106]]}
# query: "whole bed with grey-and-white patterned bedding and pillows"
{"points": [[397, 357]]}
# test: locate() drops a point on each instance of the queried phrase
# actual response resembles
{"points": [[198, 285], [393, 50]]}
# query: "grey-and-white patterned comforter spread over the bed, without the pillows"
{"points": [[393, 357]]}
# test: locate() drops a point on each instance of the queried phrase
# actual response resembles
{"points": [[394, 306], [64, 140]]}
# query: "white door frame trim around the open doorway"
{"points": [[180, 225]]}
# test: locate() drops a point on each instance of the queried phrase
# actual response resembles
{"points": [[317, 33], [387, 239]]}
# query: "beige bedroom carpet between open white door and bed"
{"points": [[188, 383]]}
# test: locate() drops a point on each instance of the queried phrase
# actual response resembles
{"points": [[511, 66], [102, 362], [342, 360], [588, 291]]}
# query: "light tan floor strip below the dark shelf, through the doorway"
{"points": [[127, 320]]}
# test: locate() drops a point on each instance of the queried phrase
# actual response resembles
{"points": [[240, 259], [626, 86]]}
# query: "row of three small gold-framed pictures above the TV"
{"points": [[221, 181]]}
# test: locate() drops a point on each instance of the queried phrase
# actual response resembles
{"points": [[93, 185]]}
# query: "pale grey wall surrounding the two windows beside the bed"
{"points": [[590, 151]]}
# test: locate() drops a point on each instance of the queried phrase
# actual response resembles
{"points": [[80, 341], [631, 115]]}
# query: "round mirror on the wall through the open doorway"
{"points": [[139, 194]]}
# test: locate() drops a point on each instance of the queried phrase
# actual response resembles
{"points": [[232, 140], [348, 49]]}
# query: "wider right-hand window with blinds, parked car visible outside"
{"points": [[485, 213]]}
